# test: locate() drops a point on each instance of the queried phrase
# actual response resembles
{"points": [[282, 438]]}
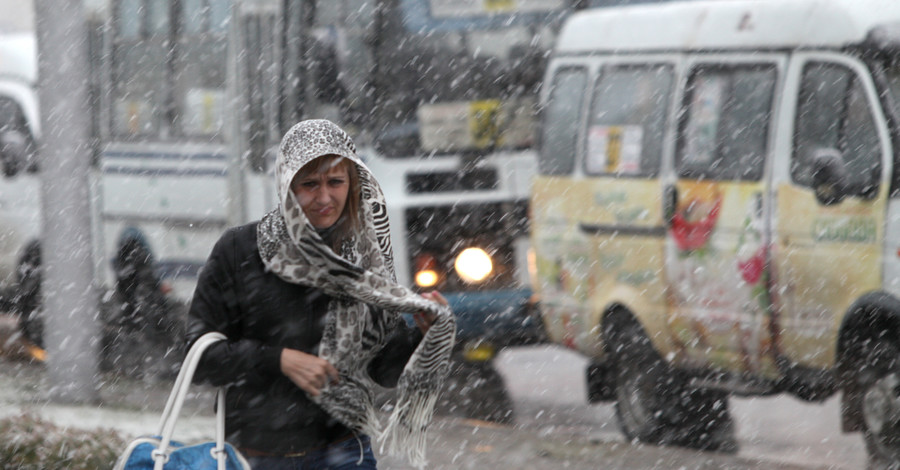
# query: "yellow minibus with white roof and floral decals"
{"points": [[717, 211]]}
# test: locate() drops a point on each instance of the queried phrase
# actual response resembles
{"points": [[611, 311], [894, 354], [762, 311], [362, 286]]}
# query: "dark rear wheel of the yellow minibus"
{"points": [[655, 403]]}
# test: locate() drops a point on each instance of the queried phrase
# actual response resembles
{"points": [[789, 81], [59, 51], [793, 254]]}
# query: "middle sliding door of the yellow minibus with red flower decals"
{"points": [[715, 257]]}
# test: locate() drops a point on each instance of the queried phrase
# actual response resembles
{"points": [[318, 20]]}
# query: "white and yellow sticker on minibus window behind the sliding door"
{"points": [[614, 149]]}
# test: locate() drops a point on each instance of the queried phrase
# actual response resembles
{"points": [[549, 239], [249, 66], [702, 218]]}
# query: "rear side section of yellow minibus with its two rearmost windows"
{"points": [[597, 224]]}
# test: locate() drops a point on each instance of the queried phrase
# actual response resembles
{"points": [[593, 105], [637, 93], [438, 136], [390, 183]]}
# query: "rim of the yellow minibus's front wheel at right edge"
{"points": [[881, 413]]}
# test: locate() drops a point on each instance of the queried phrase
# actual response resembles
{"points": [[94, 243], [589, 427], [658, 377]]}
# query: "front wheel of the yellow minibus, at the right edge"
{"points": [[880, 383]]}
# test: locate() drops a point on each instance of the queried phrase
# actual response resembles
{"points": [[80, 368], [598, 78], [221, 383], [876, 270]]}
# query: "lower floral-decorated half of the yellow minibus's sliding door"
{"points": [[717, 273]]}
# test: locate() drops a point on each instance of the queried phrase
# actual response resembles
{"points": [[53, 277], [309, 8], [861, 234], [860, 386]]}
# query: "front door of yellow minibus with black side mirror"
{"points": [[831, 195]]}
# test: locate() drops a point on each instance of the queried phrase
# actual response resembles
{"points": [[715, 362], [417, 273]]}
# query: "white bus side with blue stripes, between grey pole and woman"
{"points": [[185, 107]]}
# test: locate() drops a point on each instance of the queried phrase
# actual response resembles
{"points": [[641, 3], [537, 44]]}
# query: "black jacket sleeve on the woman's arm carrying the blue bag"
{"points": [[215, 307]]}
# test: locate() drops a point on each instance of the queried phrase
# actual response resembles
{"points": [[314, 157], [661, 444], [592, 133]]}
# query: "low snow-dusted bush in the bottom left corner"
{"points": [[29, 443]]}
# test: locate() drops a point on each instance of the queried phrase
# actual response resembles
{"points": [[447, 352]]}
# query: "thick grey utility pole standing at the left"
{"points": [[69, 298]]}
